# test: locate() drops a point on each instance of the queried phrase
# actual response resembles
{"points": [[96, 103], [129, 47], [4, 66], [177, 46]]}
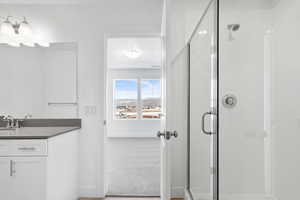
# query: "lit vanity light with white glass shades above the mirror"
{"points": [[15, 34]]}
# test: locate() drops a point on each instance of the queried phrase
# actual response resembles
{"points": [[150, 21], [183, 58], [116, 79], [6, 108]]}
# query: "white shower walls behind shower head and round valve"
{"points": [[259, 138]]}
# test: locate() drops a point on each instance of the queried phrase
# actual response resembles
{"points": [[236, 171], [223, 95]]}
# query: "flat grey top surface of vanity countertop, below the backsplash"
{"points": [[36, 132]]}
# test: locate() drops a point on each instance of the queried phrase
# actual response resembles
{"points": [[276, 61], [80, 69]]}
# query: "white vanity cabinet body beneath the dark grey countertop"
{"points": [[43, 169]]}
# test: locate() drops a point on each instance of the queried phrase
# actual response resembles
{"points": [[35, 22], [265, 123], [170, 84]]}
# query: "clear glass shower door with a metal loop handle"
{"points": [[203, 109]]}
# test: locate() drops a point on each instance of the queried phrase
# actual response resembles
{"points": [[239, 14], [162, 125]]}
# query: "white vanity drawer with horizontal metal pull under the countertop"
{"points": [[23, 148]]}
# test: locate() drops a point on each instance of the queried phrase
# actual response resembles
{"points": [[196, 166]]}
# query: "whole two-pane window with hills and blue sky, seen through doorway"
{"points": [[137, 99]]}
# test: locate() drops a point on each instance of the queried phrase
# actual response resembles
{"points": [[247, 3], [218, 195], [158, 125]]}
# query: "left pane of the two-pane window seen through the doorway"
{"points": [[125, 99]]}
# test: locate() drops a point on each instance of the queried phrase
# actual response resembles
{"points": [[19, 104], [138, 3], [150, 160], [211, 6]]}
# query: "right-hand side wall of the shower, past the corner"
{"points": [[286, 99]]}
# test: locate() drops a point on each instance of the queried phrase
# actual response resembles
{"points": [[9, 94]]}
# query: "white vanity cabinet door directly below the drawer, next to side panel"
{"points": [[29, 178]]}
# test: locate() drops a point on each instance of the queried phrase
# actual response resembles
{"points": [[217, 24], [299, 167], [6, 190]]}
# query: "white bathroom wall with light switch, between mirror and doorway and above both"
{"points": [[87, 25]]}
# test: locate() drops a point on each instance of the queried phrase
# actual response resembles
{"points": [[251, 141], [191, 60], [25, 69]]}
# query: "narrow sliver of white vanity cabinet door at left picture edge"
{"points": [[5, 179]]}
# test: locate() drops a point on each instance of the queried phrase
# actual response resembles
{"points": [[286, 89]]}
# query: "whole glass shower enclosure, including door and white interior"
{"points": [[244, 104]]}
